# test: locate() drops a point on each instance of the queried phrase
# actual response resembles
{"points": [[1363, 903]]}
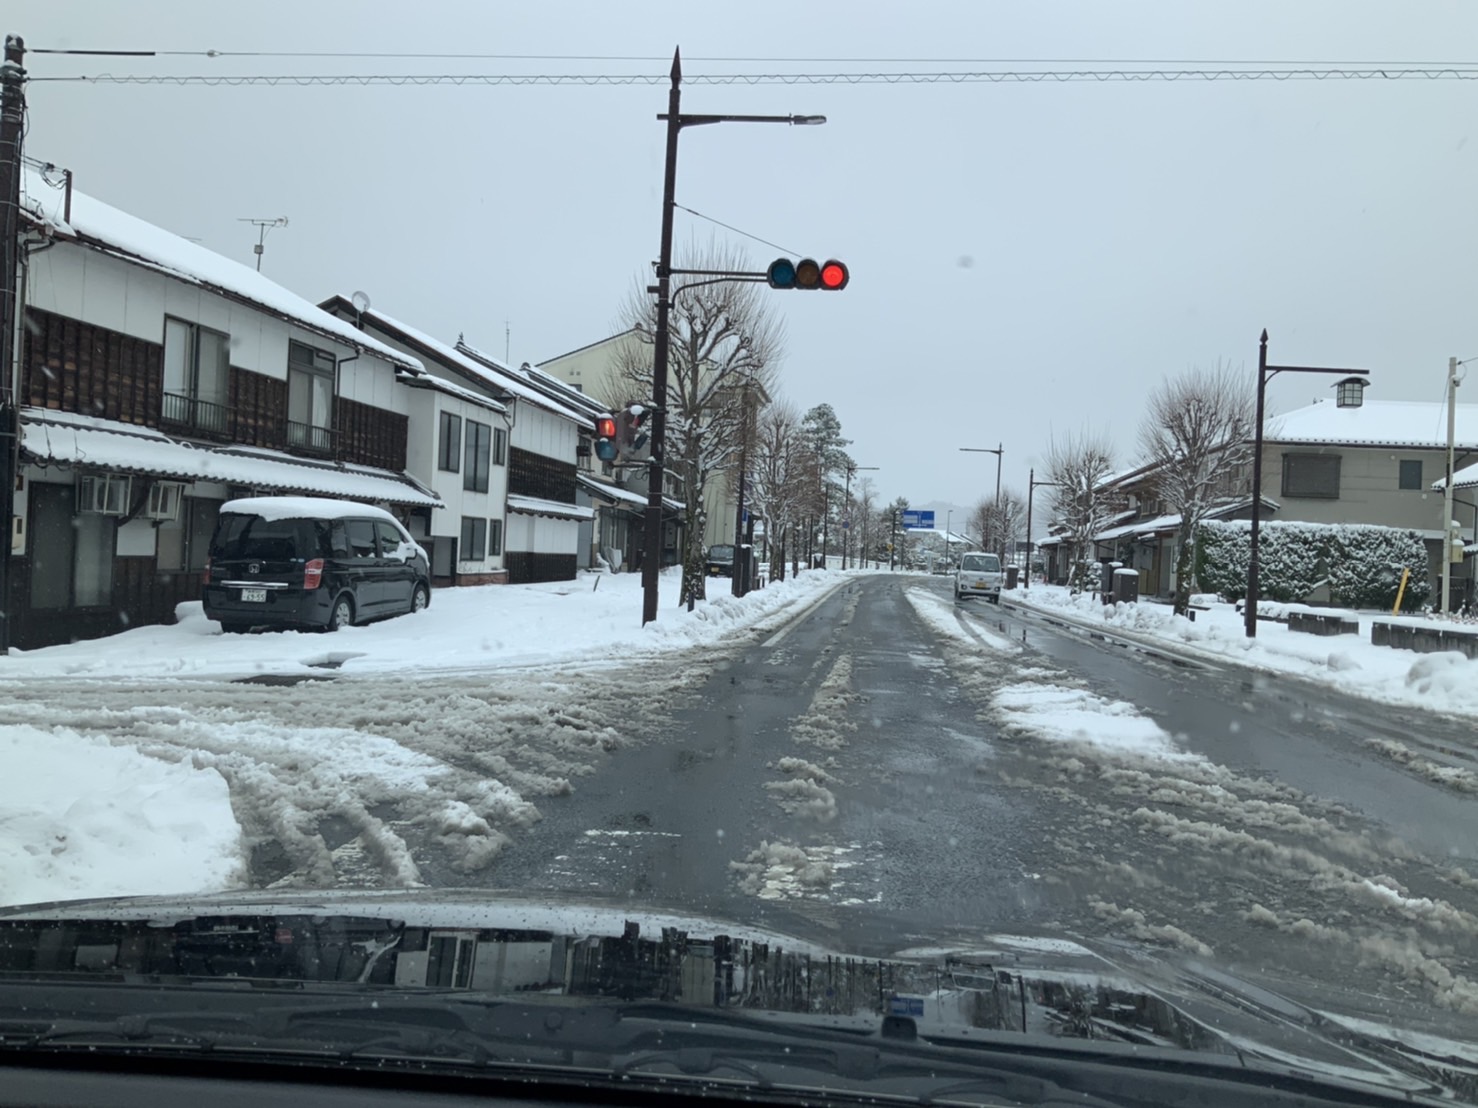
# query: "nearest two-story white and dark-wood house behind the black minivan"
{"points": [[159, 380]]}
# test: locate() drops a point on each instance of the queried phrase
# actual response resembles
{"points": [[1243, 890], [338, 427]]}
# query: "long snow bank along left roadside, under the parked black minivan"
{"points": [[593, 618]]}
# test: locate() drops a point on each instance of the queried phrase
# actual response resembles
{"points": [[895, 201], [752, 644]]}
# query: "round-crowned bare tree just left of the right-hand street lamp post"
{"points": [[1198, 438]]}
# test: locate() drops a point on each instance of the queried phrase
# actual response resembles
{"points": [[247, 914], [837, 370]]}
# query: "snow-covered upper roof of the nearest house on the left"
{"points": [[112, 231]]}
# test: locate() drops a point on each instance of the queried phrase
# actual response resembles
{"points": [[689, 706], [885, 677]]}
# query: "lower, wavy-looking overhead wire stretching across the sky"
{"points": [[935, 78]]}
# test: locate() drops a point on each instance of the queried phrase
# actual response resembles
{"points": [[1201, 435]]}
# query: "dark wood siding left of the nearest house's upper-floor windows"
{"points": [[78, 367]]}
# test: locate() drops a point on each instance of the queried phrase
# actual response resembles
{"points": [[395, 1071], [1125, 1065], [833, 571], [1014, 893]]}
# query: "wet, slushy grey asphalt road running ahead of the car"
{"points": [[944, 824]]}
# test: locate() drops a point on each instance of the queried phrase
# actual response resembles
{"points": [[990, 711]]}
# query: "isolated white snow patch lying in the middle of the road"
{"points": [[1075, 716]]}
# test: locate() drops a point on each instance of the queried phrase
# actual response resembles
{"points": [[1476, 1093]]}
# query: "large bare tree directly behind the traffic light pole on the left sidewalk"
{"points": [[725, 341]]}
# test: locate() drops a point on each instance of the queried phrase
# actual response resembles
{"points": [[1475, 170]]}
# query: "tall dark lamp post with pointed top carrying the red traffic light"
{"points": [[653, 541]]}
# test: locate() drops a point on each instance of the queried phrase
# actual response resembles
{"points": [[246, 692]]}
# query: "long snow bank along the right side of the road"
{"points": [[1353, 664]]}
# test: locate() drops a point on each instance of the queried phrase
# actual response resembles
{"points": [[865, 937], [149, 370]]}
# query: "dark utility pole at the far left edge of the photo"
{"points": [[13, 116]]}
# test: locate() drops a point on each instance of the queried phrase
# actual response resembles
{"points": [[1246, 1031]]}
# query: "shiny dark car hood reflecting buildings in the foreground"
{"points": [[1103, 996]]}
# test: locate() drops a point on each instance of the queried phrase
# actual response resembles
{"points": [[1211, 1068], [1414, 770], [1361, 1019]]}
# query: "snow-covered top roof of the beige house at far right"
{"points": [[1375, 423]]}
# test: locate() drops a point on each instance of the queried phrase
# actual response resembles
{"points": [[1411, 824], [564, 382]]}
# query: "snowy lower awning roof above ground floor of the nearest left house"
{"points": [[66, 440]]}
